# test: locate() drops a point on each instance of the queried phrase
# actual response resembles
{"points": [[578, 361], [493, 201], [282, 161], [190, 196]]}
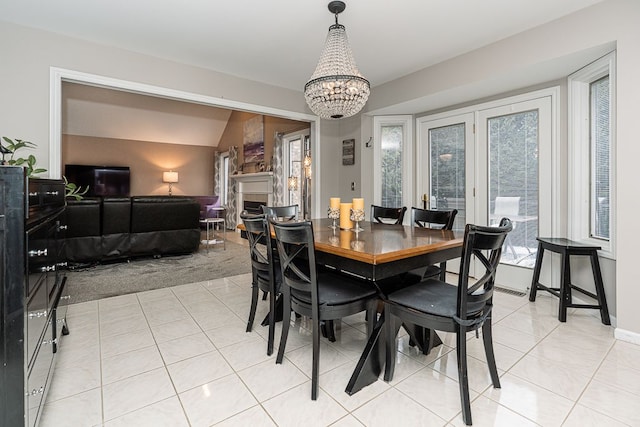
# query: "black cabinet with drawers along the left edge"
{"points": [[33, 279]]}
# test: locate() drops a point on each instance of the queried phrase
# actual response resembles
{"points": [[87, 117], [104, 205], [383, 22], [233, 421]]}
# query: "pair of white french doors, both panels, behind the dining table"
{"points": [[493, 161]]}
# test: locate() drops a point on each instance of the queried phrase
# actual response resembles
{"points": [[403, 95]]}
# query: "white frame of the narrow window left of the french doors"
{"points": [[406, 121]]}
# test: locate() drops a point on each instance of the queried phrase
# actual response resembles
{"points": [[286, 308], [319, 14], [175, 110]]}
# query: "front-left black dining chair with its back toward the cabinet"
{"points": [[319, 295]]}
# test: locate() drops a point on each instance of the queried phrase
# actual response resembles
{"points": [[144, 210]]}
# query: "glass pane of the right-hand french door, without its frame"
{"points": [[513, 182]]}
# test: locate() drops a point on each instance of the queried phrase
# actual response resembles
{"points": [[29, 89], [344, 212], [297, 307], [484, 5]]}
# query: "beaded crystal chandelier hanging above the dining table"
{"points": [[336, 89]]}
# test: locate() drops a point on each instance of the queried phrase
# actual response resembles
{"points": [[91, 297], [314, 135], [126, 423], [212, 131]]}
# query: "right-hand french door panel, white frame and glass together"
{"points": [[515, 181]]}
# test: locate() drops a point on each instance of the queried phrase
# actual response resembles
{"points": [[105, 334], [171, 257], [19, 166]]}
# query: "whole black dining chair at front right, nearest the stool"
{"points": [[437, 305]]}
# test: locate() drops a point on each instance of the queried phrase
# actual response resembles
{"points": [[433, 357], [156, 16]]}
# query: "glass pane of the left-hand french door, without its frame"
{"points": [[447, 171]]}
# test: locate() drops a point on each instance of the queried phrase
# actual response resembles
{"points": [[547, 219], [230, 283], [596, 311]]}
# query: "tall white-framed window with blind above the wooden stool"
{"points": [[591, 149]]}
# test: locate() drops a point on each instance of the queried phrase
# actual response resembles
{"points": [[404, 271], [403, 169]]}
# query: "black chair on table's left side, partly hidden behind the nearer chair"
{"points": [[265, 270]]}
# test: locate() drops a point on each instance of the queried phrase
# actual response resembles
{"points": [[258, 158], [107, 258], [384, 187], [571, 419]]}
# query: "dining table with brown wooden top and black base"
{"points": [[377, 254]]}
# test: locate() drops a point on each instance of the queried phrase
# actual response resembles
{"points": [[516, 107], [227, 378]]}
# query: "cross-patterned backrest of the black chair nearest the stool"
{"points": [[476, 240]]}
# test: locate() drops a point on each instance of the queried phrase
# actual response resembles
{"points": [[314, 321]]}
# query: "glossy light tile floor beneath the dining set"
{"points": [[180, 356]]}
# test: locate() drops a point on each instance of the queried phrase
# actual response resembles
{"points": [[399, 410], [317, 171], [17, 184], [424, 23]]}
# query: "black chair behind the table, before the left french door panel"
{"points": [[440, 220]]}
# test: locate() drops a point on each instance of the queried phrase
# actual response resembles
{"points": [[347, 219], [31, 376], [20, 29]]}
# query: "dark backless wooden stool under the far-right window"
{"points": [[566, 248]]}
